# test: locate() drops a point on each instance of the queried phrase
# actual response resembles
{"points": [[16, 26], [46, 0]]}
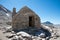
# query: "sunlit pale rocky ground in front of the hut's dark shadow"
{"points": [[7, 34]]}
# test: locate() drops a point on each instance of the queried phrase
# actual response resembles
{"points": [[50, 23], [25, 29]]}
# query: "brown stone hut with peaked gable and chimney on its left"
{"points": [[25, 18]]}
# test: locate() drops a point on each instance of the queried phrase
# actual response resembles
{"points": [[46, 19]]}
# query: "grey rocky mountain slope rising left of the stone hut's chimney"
{"points": [[5, 14]]}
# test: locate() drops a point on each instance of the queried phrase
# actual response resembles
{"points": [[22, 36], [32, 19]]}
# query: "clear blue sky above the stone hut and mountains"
{"points": [[48, 10]]}
